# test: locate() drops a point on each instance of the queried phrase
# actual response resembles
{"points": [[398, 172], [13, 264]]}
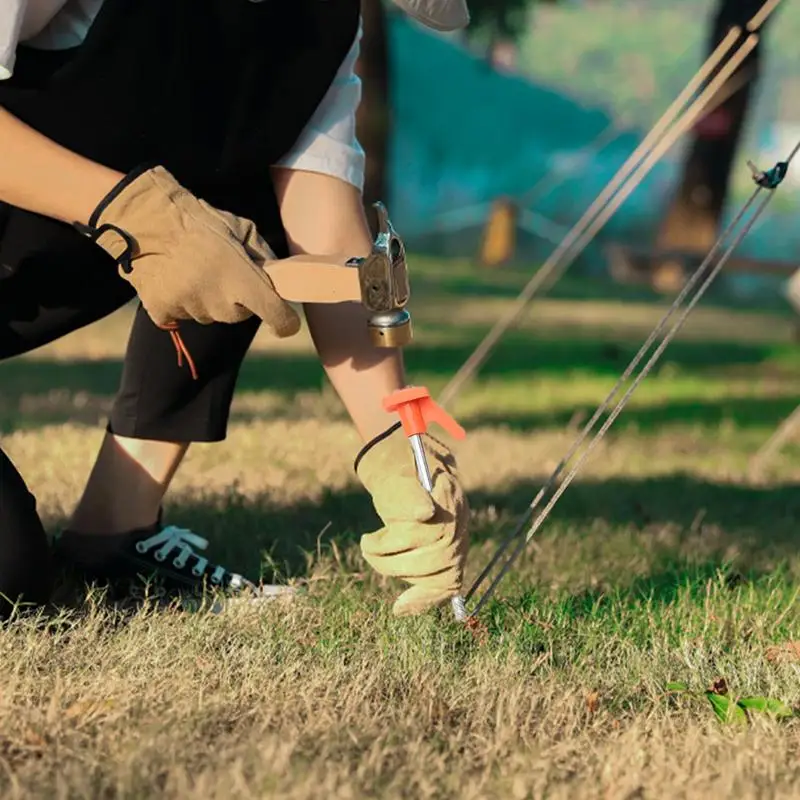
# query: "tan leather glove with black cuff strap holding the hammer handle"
{"points": [[186, 259]]}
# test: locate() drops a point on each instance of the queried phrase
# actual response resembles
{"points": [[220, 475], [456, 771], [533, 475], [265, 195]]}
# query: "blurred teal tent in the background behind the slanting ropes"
{"points": [[465, 134]]}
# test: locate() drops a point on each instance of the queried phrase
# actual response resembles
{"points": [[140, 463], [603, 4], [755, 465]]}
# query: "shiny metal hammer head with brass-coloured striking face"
{"points": [[383, 276]]}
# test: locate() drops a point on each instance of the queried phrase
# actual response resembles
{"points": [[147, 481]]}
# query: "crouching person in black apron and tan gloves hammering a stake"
{"points": [[169, 149]]}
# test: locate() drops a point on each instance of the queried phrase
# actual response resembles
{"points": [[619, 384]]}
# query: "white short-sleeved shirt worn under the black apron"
{"points": [[328, 144]]}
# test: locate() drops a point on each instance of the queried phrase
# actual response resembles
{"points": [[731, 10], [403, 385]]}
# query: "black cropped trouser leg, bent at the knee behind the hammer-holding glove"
{"points": [[67, 287]]}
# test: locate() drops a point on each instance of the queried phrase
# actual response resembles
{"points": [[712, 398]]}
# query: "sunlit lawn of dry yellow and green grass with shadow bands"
{"points": [[664, 562]]}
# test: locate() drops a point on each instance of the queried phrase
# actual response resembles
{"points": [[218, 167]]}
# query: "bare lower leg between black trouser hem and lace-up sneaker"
{"points": [[126, 485]]}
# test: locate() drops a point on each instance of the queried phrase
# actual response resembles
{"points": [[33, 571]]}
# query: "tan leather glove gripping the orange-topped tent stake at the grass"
{"points": [[425, 539]]}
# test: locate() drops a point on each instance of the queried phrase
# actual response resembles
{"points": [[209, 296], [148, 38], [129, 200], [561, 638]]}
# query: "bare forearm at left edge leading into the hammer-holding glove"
{"points": [[40, 175]]}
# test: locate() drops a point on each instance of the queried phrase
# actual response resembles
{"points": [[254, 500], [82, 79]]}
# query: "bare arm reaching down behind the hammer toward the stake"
{"points": [[321, 216]]}
